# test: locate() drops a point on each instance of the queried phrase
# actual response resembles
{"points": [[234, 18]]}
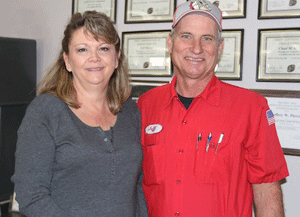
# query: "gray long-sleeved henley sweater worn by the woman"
{"points": [[66, 168]]}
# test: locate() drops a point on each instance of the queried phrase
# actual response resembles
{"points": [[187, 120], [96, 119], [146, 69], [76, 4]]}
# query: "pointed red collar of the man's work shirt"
{"points": [[211, 93]]}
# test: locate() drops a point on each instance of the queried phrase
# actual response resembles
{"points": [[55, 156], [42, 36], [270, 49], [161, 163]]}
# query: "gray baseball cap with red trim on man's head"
{"points": [[198, 6]]}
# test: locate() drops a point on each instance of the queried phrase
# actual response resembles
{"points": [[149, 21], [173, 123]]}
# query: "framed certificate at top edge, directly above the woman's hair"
{"points": [[105, 6]]}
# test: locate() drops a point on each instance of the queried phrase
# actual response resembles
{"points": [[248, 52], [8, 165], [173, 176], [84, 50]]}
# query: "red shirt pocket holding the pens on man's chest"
{"points": [[211, 166]]}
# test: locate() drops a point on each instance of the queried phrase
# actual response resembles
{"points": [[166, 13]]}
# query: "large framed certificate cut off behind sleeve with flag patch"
{"points": [[285, 106]]}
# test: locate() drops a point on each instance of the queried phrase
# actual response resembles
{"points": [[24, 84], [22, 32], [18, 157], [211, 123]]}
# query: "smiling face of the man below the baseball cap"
{"points": [[194, 47]]}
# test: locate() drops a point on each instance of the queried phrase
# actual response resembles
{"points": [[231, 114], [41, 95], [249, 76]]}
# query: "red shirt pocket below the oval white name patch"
{"points": [[154, 161]]}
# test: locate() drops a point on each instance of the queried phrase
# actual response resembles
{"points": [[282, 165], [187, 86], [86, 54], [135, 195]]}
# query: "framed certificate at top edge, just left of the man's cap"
{"points": [[138, 11]]}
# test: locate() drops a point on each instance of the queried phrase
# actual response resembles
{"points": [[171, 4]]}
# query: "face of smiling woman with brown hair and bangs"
{"points": [[92, 62]]}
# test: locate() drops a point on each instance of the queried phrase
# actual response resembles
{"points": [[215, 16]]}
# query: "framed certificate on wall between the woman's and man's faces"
{"points": [[147, 53]]}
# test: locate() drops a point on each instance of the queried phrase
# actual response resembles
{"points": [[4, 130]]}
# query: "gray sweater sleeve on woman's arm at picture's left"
{"points": [[35, 155]]}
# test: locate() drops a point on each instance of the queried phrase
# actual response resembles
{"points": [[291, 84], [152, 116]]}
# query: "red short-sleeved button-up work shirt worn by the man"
{"points": [[181, 178]]}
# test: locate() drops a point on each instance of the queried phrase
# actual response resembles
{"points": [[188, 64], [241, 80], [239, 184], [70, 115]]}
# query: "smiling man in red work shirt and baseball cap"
{"points": [[210, 148]]}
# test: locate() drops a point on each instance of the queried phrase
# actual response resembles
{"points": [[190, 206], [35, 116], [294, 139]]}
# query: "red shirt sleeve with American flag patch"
{"points": [[264, 155]]}
